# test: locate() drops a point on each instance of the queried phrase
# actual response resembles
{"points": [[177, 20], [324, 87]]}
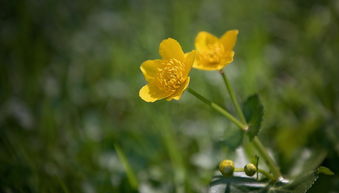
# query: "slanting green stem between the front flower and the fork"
{"points": [[219, 109]]}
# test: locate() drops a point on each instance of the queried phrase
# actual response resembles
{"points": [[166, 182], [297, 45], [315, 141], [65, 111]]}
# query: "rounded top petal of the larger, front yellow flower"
{"points": [[170, 48]]}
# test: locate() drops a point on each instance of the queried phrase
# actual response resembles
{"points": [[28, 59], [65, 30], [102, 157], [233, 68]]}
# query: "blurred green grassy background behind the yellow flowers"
{"points": [[69, 83]]}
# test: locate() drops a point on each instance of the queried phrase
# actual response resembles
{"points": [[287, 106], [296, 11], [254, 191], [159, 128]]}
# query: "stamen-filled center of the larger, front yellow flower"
{"points": [[171, 76]]}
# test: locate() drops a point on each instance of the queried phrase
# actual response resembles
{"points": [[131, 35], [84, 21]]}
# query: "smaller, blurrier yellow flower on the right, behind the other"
{"points": [[214, 53]]}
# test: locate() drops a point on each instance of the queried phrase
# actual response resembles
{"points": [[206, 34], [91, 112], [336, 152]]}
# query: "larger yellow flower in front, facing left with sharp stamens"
{"points": [[167, 77]]}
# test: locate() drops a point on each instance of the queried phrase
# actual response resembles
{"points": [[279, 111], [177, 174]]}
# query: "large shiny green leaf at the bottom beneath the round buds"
{"points": [[301, 183]]}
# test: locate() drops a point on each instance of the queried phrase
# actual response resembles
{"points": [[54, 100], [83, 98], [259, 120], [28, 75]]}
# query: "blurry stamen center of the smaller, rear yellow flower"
{"points": [[214, 54]]}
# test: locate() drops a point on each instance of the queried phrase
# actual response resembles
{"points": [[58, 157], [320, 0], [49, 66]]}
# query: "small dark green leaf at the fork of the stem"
{"points": [[254, 111]]}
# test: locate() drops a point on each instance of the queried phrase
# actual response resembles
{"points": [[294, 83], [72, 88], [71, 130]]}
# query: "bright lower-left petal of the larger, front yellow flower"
{"points": [[151, 93]]}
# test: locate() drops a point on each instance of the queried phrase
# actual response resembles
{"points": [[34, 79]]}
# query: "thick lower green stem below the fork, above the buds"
{"points": [[268, 160]]}
